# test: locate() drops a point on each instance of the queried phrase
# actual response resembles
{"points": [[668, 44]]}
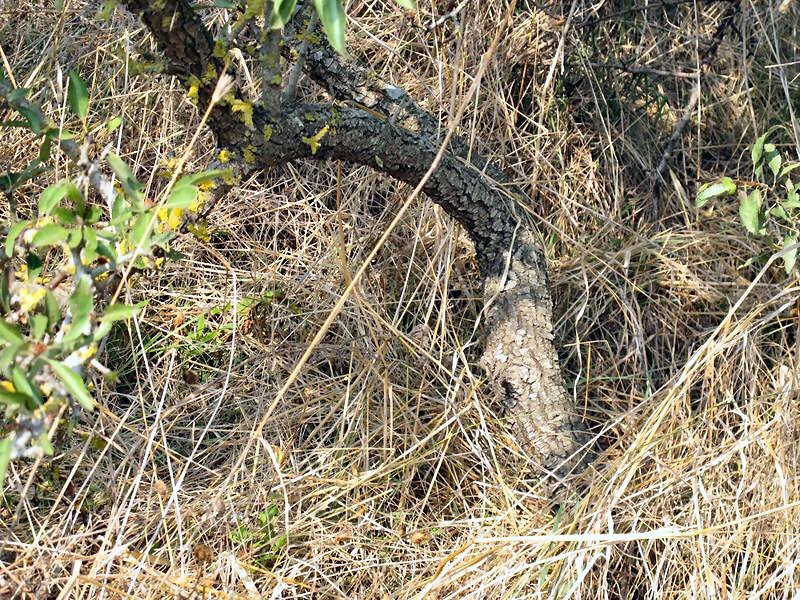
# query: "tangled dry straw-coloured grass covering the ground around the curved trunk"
{"points": [[387, 472]]}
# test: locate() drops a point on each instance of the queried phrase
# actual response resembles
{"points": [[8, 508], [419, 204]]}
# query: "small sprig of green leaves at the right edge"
{"points": [[768, 205]]}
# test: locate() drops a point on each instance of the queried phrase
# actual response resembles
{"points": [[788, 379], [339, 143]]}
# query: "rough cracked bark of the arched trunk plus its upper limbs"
{"points": [[519, 355]]}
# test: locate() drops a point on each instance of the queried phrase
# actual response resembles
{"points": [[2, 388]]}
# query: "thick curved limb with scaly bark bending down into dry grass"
{"points": [[519, 355]]}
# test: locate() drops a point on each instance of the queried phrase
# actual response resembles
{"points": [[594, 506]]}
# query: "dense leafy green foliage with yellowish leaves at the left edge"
{"points": [[61, 265]]}
